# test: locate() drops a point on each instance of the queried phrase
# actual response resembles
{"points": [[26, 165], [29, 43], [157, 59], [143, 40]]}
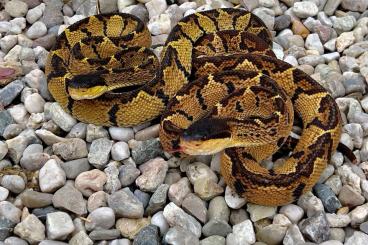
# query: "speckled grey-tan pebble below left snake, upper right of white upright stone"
{"points": [[71, 149]]}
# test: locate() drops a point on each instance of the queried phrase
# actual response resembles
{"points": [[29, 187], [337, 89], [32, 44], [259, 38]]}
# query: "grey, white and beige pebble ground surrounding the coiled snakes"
{"points": [[99, 185]]}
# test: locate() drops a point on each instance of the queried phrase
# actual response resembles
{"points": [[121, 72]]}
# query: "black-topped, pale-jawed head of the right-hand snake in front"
{"points": [[206, 136]]}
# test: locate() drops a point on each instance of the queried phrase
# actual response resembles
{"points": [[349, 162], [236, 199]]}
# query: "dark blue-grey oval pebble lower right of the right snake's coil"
{"points": [[328, 198]]}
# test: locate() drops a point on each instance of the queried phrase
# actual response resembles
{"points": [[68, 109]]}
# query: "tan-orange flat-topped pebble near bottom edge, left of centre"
{"points": [[129, 228]]}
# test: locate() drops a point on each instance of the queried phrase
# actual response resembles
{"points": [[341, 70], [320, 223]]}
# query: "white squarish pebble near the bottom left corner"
{"points": [[59, 225]]}
